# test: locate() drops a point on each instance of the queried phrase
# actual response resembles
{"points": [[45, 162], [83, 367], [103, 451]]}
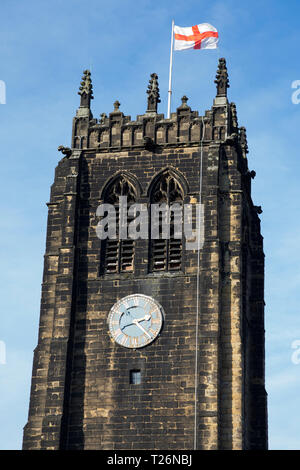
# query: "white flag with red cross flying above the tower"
{"points": [[201, 36]]}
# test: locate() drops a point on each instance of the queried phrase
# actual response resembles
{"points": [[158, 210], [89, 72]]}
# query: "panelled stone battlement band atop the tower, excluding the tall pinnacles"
{"points": [[117, 130]]}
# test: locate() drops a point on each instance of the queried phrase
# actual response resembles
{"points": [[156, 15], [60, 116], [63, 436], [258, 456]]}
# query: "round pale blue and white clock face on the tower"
{"points": [[135, 321]]}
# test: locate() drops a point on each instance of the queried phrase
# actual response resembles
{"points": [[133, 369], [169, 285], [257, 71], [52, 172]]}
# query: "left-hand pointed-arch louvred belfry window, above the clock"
{"points": [[118, 255]]}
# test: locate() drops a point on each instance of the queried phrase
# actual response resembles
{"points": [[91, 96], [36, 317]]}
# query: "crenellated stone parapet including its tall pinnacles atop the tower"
{"points": [[185, 127]]}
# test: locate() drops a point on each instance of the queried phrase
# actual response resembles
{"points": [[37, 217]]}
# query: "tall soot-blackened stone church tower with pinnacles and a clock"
{"points": [[152, 342]]}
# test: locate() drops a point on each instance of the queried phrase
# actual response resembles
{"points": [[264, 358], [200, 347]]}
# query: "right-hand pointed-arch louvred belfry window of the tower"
{"points": [[165, 253]]}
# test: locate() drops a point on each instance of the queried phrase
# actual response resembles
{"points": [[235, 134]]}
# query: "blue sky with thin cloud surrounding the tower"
{"points": [[44, 47]]}
